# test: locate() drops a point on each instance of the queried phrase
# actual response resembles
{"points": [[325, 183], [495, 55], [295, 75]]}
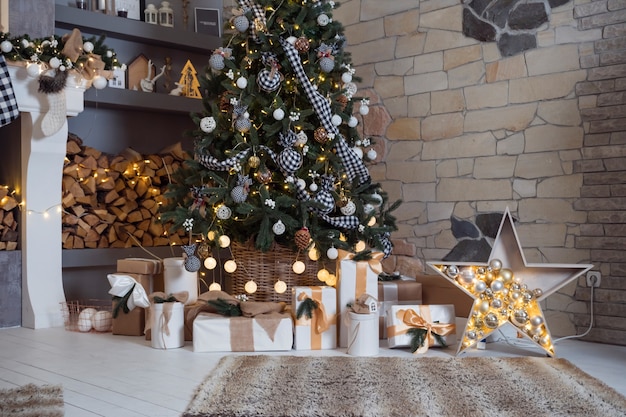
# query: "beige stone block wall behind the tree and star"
{"points": [[464, 130]]}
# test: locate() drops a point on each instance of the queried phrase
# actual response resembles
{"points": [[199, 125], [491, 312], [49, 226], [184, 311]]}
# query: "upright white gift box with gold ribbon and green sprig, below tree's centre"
{"points": [[320, 330]]}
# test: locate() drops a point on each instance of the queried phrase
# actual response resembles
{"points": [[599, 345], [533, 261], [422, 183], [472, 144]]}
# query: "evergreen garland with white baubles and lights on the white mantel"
{"points": [[53, 57]]}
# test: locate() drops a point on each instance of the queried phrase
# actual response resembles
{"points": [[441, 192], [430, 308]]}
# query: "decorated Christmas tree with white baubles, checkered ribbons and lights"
{"points": [[278, 155]]}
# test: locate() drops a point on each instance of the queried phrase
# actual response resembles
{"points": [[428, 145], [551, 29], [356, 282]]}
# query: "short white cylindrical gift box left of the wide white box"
{"points": [[168, 325]]}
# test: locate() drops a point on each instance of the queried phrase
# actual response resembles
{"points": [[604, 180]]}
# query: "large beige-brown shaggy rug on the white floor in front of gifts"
{"points": [[389, 386]]}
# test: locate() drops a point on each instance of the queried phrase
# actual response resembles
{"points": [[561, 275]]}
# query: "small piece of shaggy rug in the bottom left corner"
{"points": [[32, 401]]}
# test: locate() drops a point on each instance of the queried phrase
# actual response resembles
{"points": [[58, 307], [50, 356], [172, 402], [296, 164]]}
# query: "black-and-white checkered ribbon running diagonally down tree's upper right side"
{"points": [[353, 165]]}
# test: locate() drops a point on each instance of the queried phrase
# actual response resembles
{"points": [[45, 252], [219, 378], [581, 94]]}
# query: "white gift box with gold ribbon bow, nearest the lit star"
{"points": [[438, 318]]}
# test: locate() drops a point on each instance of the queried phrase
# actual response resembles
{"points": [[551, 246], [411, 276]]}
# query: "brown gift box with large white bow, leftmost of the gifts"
{"points": [[129, 301]]}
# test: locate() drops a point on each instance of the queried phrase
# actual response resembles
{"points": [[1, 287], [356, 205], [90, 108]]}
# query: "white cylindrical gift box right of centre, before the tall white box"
{"points": [[362, 334]]}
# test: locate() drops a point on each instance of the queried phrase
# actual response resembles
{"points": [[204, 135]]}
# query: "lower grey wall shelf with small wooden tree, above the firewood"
{"points": [[116, 98]]}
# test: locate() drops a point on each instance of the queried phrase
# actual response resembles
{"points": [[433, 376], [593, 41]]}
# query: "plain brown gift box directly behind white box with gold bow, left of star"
{"points": [[396, 292]]}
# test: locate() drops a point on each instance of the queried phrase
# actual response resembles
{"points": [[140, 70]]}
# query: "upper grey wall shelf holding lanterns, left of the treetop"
{"points": [[133, 30]]}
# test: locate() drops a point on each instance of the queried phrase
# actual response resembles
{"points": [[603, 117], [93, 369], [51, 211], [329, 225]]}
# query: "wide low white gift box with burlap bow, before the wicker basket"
{"points": [[266, 332]]}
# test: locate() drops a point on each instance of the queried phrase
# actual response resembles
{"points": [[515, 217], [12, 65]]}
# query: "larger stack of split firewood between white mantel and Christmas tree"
{"points": [[112, 201]]}
